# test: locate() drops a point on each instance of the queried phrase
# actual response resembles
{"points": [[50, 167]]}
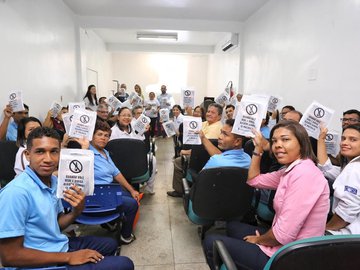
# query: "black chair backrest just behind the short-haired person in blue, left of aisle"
{"points": [[129, 156]]}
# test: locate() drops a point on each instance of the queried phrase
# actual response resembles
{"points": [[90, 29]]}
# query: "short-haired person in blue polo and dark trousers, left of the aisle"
{"points": [[105, 172]]}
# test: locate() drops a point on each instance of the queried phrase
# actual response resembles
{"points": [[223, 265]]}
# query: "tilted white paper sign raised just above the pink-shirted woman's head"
{"points": [[316, 115]]}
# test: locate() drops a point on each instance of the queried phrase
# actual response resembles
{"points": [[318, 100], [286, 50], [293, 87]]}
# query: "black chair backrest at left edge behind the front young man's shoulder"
{"points": [[8, 150]]}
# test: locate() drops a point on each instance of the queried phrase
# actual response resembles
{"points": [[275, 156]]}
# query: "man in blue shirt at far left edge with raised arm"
{"points": [[11, 129]]}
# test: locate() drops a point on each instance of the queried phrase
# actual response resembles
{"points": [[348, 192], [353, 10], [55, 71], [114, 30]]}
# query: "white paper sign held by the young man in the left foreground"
{"points": [[76, 167]]}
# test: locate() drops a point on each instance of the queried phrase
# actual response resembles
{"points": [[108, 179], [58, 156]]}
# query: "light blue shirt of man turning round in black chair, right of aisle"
{"points": [[229, 158]]}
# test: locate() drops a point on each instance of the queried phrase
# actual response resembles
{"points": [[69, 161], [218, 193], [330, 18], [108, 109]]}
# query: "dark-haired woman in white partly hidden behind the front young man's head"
{"points": [[26, 125]]}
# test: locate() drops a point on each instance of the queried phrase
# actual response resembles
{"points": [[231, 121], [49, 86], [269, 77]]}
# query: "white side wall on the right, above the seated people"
{"points": [[305, 50]]}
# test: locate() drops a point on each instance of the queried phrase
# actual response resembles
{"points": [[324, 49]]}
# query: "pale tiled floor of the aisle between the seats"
{"points": [[166, 239]]}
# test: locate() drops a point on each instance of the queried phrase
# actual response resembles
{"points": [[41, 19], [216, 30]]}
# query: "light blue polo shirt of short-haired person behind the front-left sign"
{"points": [[104, 168]]}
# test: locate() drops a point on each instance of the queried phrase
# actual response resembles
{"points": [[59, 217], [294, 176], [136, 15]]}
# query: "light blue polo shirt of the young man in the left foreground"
{"points": [[30, 209]]}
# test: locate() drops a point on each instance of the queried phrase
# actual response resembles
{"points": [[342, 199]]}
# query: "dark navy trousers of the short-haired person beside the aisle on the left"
{"points": [[130, 207]]}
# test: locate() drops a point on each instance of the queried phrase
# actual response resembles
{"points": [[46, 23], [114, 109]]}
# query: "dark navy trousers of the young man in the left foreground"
{"points": [[105, 246]]}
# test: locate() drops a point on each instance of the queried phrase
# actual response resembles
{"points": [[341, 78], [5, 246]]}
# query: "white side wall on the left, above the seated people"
{"points": [[38, 53]]}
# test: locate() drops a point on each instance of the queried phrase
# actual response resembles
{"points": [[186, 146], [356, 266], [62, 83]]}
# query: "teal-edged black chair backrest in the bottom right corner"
{"points": [[320, 253]]}
